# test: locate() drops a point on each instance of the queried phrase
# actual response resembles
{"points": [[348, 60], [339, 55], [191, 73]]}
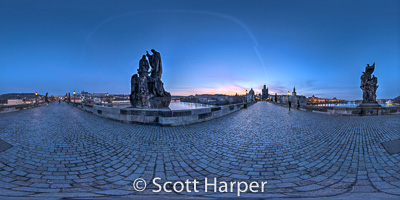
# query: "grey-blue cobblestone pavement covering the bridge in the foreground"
{"points": [[61, 151]]}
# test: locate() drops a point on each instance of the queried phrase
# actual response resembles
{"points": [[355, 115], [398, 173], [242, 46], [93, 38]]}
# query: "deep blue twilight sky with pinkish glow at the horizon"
{"points": [[219, 46]]}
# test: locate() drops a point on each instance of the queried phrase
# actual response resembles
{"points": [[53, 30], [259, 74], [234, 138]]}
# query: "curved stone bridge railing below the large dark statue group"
{"points": [[164, 117]]}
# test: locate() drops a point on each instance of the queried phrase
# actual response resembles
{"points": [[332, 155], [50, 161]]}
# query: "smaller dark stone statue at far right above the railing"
{"points": [[369, 85]]}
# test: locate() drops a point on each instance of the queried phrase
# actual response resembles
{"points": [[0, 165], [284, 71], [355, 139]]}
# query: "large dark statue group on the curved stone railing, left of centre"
{"points": [[147, 89]]}
